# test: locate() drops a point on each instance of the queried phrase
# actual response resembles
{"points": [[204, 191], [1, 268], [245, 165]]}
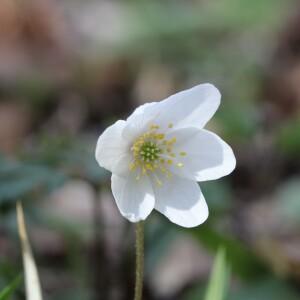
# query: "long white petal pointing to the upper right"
{"points": [[190, 108]]}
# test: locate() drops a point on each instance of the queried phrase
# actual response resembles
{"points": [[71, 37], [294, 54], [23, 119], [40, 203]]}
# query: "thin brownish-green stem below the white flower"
{"points": [[139, 268]]}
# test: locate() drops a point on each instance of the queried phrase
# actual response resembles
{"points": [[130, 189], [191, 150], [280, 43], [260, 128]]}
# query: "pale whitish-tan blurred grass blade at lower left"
{"points": [[32, 282]]}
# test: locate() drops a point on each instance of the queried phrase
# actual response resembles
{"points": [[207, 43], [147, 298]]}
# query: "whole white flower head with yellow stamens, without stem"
{"points": [[160, 152]]}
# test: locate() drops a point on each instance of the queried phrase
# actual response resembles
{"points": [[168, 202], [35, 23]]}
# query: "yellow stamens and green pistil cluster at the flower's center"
{"points": [[153, 152]]}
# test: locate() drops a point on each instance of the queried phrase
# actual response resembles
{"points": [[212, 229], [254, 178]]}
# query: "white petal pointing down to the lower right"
{"points": [[181, 201]]}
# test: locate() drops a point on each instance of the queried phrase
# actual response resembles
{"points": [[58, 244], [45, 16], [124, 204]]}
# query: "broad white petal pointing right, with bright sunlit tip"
{"points": [[207, 156]]}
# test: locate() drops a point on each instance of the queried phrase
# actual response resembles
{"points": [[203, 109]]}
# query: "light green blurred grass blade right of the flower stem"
{"points": [[217, 287]]}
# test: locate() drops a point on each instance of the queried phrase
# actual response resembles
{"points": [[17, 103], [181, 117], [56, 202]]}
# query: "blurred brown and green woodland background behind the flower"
{"points": [[70, 68]]}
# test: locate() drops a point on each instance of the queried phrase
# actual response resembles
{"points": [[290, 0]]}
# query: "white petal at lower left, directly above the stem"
{"points": [[134, 199]]}
